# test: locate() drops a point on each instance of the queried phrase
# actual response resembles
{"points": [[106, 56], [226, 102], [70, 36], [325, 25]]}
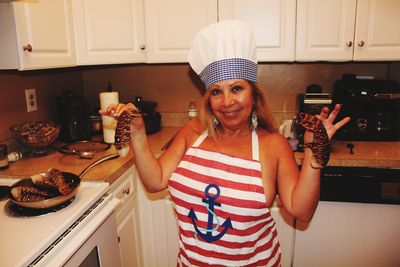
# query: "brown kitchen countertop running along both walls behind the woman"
{"points": [[368, 154]]}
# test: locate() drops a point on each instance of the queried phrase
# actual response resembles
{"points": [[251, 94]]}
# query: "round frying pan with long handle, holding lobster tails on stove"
{"points": [[72, 179]]}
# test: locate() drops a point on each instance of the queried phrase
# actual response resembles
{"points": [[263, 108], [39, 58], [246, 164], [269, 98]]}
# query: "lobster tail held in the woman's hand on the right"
{"points": [[321, 145]]}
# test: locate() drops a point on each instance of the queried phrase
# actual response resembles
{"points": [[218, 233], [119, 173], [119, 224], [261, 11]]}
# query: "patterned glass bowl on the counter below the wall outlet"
{"points": [[36, 135]]}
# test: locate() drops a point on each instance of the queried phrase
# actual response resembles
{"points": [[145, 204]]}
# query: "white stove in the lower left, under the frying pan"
{"points": [[53, 239]]}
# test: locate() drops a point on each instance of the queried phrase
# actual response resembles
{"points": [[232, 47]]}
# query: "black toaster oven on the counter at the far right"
{"points": [[372, 104]]}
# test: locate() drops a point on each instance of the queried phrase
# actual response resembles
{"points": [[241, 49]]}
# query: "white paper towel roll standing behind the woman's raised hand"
{"points": [[109, 123]]}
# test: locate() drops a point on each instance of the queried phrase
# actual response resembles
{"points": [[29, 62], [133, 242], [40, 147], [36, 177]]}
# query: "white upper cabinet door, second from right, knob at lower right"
{"points": [[325, 30]]}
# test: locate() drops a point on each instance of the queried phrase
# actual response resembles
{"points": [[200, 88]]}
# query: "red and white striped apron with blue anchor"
{"points": [[221, 210]]}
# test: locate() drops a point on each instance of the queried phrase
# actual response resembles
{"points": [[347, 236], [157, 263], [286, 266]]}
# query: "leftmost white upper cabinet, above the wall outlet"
{"points": [[36, 34]]}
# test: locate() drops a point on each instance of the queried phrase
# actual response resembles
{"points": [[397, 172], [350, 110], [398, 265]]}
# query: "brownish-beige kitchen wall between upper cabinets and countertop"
{"points": [[171, 85]]}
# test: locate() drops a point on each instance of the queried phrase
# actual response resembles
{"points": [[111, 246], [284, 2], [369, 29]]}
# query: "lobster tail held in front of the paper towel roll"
{"points": [[122, 132]]}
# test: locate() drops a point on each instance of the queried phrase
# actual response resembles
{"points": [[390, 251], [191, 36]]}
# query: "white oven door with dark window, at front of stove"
{"points": [[91, 241]]}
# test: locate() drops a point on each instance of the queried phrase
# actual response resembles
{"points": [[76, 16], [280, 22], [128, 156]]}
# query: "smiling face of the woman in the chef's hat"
{"points": [[231, 102]]}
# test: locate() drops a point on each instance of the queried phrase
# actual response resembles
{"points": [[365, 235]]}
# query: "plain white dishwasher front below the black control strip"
{"points": [[349, 234]]}
